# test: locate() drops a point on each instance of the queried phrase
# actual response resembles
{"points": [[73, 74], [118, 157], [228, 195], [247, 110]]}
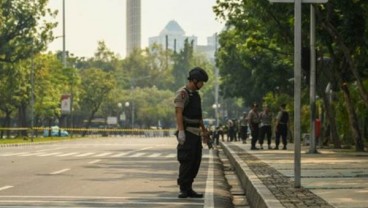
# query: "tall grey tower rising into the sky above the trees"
{"points": [[133, 25]]}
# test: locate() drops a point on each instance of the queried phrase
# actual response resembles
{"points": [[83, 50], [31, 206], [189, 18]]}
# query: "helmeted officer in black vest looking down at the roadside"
{"points": [[188, 112]]}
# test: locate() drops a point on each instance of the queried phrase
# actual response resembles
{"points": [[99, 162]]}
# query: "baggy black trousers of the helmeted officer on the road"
{"points": [[189, 156]]}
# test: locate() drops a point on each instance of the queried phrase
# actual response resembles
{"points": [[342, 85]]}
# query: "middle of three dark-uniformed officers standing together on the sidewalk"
{"points": [[266, 127]]}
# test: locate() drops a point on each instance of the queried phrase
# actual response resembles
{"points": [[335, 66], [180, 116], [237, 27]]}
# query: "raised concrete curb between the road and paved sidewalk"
{"points": [[257, 193]]}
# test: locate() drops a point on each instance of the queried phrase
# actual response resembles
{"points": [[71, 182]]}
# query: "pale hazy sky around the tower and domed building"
{"points": [[89, 21]]}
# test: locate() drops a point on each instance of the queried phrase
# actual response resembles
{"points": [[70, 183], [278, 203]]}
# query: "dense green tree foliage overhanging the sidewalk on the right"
{"points": [[256, 52]]}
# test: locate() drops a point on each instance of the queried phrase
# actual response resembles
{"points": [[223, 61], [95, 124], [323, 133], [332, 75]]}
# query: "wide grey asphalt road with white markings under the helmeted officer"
{"points": [[99, 172]]}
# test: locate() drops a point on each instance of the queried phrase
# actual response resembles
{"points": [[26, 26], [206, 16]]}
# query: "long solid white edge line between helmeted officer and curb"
{"points": [[209, 196]]}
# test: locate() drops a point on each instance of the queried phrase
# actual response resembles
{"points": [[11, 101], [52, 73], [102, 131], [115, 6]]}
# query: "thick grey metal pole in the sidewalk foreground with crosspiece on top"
{"points": [[297, 80]]}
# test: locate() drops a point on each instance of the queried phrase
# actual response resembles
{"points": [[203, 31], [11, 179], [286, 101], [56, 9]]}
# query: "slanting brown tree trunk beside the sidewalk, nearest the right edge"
{"points": [[353, 120]]}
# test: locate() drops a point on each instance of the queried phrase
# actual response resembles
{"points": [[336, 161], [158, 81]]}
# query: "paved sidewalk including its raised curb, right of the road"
{"points": [[332, 178]]}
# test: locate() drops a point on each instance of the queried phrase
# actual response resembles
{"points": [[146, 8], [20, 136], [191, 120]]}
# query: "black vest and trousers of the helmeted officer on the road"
{"points": [[190, 153]]}
